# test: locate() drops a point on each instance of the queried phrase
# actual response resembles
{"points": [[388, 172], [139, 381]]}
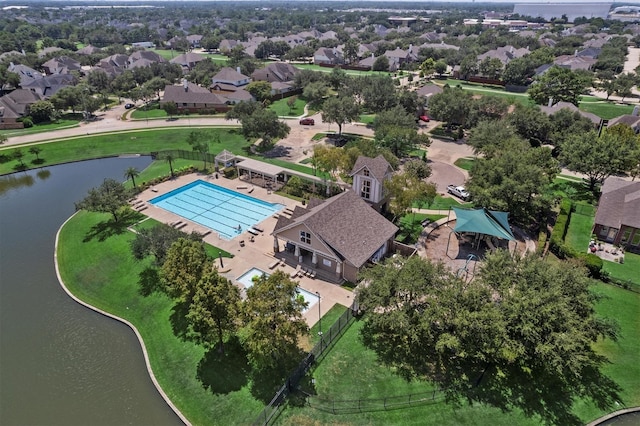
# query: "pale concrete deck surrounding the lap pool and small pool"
{"points": [[257, 253]]}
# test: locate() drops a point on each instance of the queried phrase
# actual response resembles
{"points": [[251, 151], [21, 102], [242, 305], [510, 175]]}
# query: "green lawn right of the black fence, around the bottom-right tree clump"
{"points": [[351, 371]]}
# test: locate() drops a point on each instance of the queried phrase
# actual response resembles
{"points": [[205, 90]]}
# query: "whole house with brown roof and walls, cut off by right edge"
{"points": [[618, 216]]}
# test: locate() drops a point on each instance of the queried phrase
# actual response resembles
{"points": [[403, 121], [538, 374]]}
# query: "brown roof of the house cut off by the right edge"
{"points": [[619, 204]]}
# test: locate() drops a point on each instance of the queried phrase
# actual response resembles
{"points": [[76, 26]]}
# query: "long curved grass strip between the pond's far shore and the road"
{"points": [[132, 142]]}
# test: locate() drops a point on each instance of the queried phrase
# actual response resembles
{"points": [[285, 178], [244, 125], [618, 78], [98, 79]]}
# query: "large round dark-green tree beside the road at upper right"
{"points": [[558, 84]]}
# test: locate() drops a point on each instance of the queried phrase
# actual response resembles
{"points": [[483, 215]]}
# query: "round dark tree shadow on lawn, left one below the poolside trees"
{"points": [[226, 372]]}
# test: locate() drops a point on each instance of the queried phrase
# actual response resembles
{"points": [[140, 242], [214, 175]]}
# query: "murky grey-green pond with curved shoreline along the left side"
{"points": [[61, 363]]}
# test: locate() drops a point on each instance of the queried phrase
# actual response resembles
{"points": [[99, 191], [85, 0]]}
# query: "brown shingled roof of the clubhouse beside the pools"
{"points": [[346, 224]]}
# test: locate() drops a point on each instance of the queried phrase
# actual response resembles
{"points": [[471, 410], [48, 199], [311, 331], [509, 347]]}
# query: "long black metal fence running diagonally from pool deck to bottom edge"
{"points": [[318, 352]]}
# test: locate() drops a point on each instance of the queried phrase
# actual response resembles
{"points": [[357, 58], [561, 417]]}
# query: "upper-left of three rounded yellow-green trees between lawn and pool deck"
{"points": [[183, 268]]}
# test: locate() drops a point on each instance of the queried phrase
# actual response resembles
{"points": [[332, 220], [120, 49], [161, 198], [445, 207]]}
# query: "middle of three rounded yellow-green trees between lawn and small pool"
{"points": [[214, 311]]}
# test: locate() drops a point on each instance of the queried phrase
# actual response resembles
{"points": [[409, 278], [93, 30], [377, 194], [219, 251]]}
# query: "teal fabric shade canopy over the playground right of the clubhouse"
{"points": [[483, 221]]}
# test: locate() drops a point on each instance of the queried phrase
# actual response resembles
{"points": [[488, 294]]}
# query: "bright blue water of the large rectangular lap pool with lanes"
{"points": [[223, 210]]}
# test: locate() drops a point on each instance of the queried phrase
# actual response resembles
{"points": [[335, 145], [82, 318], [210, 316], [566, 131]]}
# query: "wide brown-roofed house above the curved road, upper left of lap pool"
{"points": [[193, 98]]}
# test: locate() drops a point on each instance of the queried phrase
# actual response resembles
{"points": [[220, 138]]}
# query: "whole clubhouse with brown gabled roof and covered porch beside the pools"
{"points": [[336, 237]]}
